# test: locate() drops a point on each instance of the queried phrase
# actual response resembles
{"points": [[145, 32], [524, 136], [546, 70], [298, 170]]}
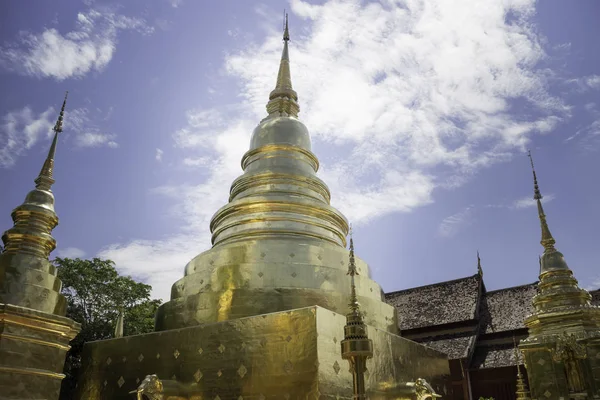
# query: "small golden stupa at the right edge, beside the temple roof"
{"points": [[562, 351]]}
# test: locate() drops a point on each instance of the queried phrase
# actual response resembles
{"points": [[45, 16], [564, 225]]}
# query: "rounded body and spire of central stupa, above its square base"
{"points": [[278, 244]]}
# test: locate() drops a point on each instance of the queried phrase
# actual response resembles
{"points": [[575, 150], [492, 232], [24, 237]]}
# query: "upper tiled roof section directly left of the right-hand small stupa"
{"points": [[506, 309]]}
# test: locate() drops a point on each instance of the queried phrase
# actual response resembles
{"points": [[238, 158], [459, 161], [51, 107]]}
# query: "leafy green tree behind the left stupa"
{"points": [[95, 295]]}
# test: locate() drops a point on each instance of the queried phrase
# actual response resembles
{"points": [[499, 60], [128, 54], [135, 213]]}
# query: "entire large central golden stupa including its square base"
{"points": [[261, 314]]}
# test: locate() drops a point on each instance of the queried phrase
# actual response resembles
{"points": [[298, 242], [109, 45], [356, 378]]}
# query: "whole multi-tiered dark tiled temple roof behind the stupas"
{"points": [[465, 299]]}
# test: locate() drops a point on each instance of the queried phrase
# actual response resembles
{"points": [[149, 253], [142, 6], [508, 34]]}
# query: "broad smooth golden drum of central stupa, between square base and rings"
{"points": [[255, 277]]}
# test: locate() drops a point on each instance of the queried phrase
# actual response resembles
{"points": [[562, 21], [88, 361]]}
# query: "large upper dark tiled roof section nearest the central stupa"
{"points": [[438, 304]]}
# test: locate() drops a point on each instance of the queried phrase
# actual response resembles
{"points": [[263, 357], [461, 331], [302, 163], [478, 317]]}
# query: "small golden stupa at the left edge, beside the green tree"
{"points": [[34, 334]]}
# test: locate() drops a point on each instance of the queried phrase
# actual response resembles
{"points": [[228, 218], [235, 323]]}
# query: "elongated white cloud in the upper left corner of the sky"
{"points": [[89, 47]]}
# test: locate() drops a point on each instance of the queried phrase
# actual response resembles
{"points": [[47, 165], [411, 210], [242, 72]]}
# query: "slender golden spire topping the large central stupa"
{"points": [[283, 100]]}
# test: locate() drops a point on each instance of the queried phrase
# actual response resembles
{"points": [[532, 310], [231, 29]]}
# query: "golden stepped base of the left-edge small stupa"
{"points": [[33, 347]]}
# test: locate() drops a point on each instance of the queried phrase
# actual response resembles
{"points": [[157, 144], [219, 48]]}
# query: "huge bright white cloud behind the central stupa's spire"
{"points": [[401, 98]]}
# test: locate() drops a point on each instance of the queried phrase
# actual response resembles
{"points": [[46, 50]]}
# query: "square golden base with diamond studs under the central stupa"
{"points": [[286, 355]]}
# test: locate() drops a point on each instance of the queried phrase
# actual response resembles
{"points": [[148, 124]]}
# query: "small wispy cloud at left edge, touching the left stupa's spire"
{"points": [[21, 130]]}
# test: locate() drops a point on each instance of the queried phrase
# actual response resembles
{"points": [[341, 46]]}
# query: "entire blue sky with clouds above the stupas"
{"points": [[420, 112]]}
